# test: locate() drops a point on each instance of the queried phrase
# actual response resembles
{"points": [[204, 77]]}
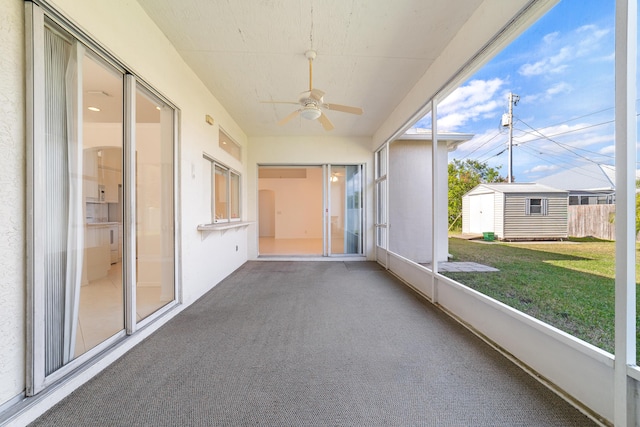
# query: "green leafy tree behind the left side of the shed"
{"points": [[463, 176]]}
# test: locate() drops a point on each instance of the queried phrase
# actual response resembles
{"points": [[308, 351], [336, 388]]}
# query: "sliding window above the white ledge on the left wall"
{"points": [[221, 192]]}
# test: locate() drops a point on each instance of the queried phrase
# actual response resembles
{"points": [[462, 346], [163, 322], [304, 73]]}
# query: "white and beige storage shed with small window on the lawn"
{"points": [[516, 211]]}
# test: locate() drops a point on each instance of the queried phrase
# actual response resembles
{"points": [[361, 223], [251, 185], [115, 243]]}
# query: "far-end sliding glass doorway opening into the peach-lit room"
{"points": [[310, 210]]}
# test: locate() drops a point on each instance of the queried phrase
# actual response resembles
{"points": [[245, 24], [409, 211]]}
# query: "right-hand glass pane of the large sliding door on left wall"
{"points": [[155, 283]]}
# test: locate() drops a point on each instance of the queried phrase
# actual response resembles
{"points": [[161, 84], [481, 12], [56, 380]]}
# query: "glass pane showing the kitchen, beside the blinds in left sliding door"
{"points": [[101, 302]]}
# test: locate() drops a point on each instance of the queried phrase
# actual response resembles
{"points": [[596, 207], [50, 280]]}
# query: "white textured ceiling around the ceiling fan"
{"points": [[370, 54]]}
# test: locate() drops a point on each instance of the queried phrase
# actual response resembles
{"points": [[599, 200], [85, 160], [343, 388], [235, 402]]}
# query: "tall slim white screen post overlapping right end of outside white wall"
{"points": [[435, 186]]}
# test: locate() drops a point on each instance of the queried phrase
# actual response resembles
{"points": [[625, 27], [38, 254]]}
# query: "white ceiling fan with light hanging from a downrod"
{"points": [[312, 102]]}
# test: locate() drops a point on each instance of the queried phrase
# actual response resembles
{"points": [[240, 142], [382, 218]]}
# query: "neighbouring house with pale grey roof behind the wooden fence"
{"points": [[590, 184]]}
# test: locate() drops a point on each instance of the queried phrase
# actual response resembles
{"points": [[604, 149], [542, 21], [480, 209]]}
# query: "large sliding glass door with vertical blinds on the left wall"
{"points": [[101, 243]]}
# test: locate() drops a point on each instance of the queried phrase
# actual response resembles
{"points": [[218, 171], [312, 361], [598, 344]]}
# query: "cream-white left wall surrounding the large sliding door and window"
{"points": [[124, 29]]}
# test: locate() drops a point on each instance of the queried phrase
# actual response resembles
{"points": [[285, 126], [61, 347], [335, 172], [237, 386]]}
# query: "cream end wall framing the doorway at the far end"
{"points": [[308, 151]]}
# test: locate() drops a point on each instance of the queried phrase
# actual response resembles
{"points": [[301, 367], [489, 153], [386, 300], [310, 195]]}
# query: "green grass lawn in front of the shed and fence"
{"points": [[569, 285]]}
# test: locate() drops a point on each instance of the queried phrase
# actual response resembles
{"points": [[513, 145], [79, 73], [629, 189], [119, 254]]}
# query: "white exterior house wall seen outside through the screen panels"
{"points": [[410, 200]]}
